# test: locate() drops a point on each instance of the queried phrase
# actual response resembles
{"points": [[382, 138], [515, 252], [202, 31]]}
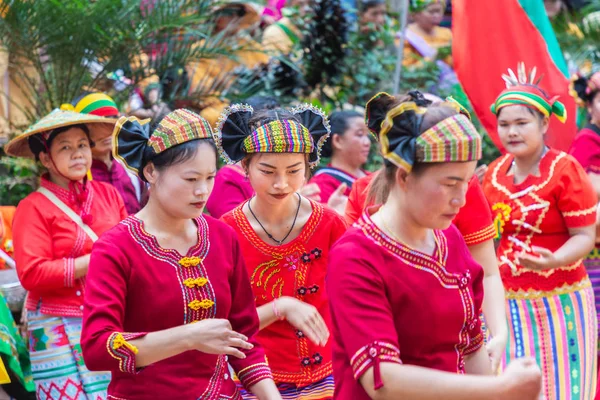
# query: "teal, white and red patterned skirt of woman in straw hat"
{"points": [[56, 361]]}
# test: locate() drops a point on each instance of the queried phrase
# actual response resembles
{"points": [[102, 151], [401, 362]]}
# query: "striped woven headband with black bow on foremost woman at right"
{"points": [[454, 139]]}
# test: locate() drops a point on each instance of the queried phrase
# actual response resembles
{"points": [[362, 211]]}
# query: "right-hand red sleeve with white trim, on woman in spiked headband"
{"points": [[577, 199]]}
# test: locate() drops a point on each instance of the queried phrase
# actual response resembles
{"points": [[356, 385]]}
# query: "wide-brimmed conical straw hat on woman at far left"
{"points": [[19, 146]]}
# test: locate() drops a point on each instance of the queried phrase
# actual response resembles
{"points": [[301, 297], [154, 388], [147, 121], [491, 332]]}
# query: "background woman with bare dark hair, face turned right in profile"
{"points": [[348, 148]]}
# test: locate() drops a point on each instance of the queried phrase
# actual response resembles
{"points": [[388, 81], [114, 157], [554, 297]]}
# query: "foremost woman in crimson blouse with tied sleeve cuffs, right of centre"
{"points": [[405, 294]]}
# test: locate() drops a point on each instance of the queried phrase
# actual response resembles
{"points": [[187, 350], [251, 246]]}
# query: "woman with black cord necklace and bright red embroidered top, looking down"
{"points": [[285, 239]]}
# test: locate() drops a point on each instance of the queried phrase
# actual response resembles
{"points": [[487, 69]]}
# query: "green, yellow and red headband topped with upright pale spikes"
{"points": [[523, 90]]}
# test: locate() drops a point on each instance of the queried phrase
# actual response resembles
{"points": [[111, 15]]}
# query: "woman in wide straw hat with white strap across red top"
{"points": [[54, 229]]}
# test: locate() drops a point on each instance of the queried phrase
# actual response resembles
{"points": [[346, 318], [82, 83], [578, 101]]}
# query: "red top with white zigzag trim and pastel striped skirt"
{"points": [[551, 313]]}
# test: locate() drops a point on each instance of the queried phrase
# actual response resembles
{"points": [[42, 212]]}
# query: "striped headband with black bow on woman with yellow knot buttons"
{"points": [[135, 146]]}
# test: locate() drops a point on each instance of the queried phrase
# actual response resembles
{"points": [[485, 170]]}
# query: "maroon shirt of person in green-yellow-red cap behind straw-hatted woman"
{"points": [[118, 177]]}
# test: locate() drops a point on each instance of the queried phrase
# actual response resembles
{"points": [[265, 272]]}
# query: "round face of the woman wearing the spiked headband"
{"points": [[521, 131]]}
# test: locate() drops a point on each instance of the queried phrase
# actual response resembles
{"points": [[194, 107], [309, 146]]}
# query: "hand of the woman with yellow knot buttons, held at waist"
{"points": [[215, 336]]}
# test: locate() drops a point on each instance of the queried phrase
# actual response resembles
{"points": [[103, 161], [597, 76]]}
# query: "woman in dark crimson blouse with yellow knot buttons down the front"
{"points": [[168, 303]]}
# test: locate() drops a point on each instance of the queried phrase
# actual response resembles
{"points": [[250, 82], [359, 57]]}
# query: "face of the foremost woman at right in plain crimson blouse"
{"points": [[436, 194]]}
